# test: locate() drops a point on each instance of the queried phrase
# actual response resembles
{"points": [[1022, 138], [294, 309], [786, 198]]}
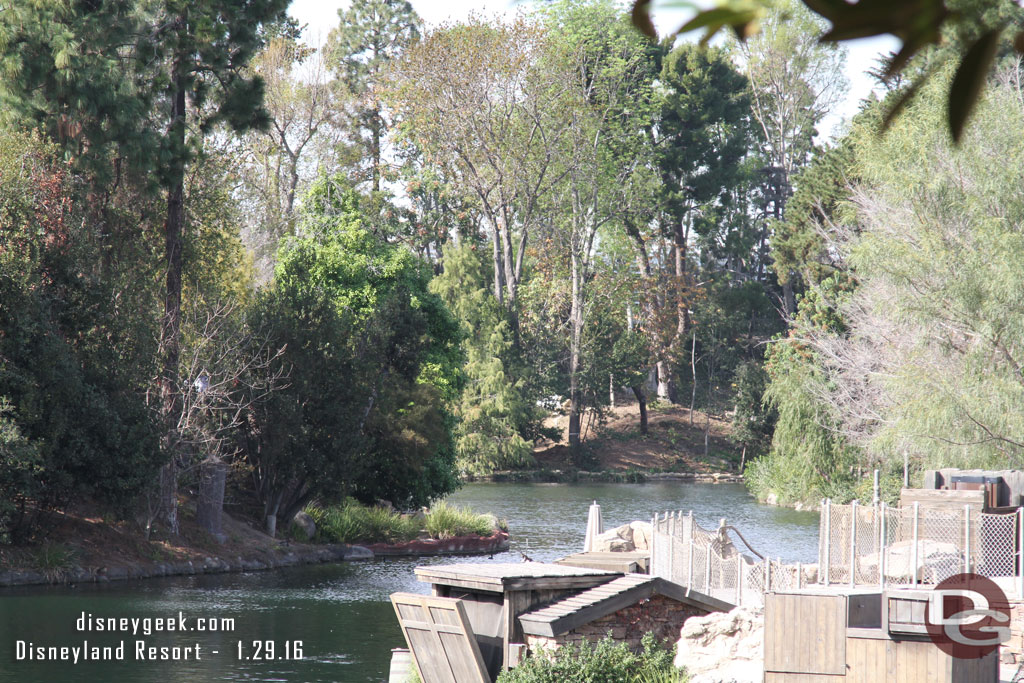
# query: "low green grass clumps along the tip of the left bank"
{"points": [[352, 523]]}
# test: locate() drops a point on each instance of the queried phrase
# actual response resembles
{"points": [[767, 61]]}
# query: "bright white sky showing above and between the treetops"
{"points": [[322, 16]]}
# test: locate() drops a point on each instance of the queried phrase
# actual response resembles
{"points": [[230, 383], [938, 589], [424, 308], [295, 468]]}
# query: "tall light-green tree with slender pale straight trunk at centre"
{"points": [[607, 152]]}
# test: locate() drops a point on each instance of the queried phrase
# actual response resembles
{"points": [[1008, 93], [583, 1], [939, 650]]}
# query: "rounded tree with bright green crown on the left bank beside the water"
{"points": [[378, 352]]}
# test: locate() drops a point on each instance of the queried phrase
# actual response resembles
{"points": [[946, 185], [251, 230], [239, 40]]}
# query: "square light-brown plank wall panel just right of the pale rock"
{"points": [[805, 634]]}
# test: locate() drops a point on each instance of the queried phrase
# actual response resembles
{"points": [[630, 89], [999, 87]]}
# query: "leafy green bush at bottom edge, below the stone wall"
{"points": [[608, 662]]}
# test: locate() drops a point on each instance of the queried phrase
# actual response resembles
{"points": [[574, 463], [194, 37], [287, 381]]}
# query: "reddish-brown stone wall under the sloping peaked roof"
{"points": [[664, 617]]}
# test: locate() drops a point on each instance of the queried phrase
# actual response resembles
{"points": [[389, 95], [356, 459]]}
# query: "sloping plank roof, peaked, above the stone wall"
{"points": [[569, 614]]}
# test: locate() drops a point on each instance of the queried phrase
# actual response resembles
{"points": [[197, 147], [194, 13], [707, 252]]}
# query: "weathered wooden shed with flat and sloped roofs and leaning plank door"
{"points": [[505, 607]]}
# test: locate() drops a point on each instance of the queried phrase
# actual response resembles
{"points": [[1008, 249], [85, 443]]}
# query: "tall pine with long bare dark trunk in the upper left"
{"points": [[111, 108]]}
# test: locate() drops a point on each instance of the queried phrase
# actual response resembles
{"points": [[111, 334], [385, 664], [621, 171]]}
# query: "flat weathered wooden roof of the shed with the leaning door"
{"points": [[501, 578]]}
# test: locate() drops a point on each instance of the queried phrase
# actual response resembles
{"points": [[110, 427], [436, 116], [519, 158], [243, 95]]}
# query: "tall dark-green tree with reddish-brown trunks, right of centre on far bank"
{"points": [[703, 139]]}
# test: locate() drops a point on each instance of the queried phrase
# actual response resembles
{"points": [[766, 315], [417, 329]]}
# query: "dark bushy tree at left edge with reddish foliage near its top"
{"points": [[74, 423]]}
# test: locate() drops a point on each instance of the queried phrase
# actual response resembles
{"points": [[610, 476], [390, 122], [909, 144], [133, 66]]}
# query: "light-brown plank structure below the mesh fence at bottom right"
{"points": [[817, 636]]}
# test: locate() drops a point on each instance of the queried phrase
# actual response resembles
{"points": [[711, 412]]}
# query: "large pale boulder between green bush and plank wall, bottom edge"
{"points": [[723, 648]]}
